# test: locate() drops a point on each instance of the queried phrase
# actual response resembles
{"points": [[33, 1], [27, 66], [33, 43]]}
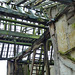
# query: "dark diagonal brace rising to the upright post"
{"points": [[35, 45]]}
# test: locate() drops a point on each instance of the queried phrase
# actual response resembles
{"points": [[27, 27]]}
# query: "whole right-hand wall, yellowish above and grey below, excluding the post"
{"points": [[65, 32]]}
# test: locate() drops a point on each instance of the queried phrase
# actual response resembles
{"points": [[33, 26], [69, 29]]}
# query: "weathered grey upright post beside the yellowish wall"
{"points": [[54, 42]]}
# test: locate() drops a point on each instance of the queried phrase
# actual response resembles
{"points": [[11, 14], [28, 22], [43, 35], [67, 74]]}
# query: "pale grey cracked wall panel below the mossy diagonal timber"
{"points": [[67, 67]]}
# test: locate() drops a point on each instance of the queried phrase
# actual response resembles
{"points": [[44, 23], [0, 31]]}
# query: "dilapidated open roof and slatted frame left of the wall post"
{"points": [[24, 31]]}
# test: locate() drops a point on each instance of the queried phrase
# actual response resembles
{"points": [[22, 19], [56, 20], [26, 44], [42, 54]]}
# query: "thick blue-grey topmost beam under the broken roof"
{"points": [[25, 16]]}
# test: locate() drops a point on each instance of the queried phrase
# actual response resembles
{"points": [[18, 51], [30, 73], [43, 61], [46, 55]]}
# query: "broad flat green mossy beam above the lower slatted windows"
{"points": [[18, 34]]}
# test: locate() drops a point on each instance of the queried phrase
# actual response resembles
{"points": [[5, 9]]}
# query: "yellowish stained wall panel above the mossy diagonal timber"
{"points": [[65, 34]]}
